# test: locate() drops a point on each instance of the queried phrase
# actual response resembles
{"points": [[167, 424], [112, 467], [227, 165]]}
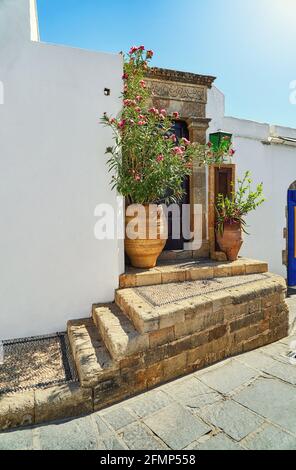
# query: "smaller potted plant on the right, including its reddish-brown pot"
{"points": [[231, 212]]}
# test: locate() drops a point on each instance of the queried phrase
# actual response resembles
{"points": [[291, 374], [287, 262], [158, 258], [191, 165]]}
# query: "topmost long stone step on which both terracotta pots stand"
{"points": [[167, 272]]}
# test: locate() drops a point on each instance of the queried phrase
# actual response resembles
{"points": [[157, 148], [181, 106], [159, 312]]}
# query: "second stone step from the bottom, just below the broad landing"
{"points": [[118, 333]]}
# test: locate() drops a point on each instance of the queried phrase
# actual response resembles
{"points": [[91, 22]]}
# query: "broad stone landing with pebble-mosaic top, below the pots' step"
{"points": [[188, 306]]}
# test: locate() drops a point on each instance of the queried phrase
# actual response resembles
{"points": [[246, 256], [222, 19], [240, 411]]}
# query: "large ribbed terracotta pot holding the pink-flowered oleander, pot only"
{"points": [[152, 237]]}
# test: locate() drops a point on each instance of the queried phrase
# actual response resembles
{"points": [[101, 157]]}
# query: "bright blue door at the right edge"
{"points": [[292, 238]]}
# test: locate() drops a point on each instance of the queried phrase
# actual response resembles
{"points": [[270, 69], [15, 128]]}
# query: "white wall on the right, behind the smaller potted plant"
{"points": [[275, 166]]}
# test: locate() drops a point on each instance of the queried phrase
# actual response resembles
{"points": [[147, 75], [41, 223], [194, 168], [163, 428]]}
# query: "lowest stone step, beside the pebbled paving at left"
{"points": [[93, 361]]}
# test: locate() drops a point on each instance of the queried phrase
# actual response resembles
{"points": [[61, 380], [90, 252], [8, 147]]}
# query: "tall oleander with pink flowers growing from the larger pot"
{"points": [[147, 162]]}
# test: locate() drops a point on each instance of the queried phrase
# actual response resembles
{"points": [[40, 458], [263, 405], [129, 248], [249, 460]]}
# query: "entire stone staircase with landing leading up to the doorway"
{"points": [[174, 319]]}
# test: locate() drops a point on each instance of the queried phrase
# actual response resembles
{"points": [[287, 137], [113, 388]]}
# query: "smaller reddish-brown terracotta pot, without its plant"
{"points": [[231, 241]]}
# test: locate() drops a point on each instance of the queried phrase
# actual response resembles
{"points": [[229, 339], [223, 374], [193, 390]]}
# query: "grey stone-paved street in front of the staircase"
{"points": [[248, 402]]}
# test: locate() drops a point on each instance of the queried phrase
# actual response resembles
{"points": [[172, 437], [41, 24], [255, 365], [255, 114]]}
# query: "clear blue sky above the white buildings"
{"points": [[249, 45]]}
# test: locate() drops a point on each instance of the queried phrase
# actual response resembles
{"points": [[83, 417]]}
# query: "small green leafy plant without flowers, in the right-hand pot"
{"points": [[233, 209]]}
